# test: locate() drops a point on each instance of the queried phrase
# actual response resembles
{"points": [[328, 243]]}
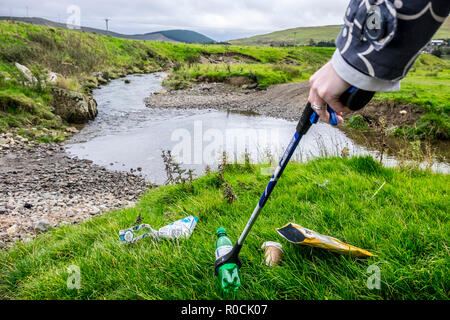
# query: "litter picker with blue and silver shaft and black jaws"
{"points": [[354, 99]]}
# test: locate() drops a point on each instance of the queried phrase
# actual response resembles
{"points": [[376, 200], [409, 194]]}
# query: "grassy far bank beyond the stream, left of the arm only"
{"points": [[76, 55]]}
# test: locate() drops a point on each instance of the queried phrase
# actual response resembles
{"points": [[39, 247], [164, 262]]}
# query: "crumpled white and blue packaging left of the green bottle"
{"points": [[182, 228]]}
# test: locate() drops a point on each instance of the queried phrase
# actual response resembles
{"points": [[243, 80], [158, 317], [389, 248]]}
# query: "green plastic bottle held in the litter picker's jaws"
{"points": [[229, 272]]}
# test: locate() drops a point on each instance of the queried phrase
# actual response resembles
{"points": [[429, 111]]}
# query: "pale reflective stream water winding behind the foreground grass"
{"points": [[126, 135]]}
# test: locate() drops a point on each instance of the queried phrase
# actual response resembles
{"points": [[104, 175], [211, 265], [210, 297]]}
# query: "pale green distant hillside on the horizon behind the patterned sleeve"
{"points": [[303, 35]]}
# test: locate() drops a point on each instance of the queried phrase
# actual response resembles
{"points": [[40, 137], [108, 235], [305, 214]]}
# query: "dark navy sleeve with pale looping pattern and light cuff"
{"points": [[381, 39]]}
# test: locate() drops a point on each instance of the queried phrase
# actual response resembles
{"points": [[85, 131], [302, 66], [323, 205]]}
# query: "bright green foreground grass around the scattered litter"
{"points": [[406, 225]]}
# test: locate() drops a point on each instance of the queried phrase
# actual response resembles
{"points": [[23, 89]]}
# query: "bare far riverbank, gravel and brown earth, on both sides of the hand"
{"points": [[286, 101]]}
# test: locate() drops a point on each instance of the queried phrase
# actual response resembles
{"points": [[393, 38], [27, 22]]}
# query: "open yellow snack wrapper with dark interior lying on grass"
{"points": [[297, 234]]}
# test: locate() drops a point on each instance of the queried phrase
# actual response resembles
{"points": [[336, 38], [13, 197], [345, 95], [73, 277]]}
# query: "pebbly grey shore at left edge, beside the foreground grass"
{"points": [[41, 187]]}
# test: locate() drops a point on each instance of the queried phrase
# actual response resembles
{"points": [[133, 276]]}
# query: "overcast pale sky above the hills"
{"points": [[218, 19]]}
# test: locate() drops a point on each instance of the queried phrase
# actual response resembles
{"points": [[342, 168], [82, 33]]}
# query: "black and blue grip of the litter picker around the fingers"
{"points": [[353, 98]]}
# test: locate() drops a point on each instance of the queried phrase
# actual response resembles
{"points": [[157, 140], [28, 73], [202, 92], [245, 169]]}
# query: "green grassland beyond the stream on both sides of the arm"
{"points": [[76, 55]]}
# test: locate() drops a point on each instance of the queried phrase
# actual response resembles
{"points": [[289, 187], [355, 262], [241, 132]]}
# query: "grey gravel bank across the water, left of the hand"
{"points": [[284, 101]]}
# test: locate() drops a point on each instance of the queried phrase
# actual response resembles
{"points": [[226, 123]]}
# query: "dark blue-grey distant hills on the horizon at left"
{"points": [[185, 36]]}
